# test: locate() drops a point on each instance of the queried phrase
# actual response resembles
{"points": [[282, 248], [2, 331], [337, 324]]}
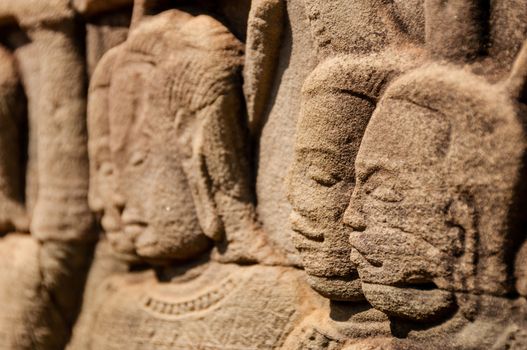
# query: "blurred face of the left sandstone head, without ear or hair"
{"points": [[157, 214]]}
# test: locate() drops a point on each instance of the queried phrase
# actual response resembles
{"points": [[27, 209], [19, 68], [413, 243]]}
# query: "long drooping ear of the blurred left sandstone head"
{"points": [[212, 144]]}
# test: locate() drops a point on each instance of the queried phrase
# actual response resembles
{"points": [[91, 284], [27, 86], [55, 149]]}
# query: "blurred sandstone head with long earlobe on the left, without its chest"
{"points": [[197, 162]]}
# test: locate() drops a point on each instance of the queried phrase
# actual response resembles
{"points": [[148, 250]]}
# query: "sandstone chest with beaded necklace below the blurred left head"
{"points": [[212, 308]]}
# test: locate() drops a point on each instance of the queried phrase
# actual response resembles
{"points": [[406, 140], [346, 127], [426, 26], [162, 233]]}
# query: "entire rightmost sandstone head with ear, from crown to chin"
{"points": [[422, 172]]}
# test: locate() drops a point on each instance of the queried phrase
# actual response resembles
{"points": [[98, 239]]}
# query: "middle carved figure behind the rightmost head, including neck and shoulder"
{"points": [[339, 98]]}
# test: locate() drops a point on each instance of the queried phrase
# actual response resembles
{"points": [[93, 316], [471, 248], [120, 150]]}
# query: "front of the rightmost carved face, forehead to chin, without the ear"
{"points": [[397, 210]]}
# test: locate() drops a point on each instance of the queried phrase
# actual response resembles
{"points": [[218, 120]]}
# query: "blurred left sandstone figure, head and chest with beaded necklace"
{"points": [[170, 173]]}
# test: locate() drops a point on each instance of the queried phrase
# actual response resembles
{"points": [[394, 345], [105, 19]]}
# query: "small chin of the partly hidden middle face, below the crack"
{"points": [[337, 288]]}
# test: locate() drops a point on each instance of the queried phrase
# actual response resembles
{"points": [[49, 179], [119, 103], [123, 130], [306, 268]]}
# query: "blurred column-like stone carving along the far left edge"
{"points": [[42, 275]]}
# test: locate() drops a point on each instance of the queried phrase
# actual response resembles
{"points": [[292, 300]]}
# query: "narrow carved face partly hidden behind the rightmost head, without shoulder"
{"points": [[321, 178]]}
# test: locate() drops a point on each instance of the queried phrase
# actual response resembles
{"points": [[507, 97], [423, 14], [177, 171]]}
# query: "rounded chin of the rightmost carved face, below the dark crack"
{"points": [[409, 302]]}
